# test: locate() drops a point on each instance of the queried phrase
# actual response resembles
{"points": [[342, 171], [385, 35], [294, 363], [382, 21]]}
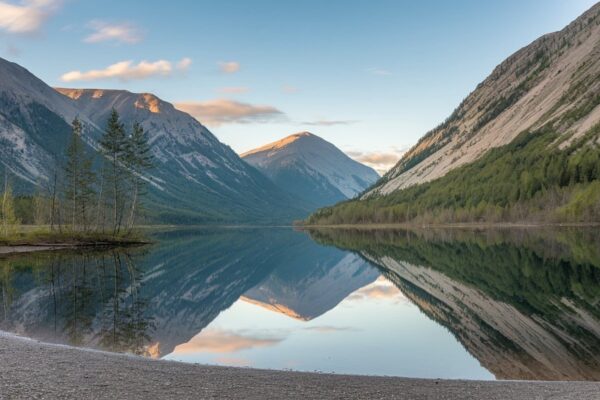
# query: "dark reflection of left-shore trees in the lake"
{"points": [[84, 299]]}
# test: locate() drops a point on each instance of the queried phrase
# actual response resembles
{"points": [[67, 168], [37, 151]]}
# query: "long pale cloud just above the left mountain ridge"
{"points": [[128, 70]]}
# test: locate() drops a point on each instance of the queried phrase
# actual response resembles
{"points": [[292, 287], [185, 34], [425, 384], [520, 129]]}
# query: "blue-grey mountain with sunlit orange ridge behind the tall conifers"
{"points": [[196, 172]]}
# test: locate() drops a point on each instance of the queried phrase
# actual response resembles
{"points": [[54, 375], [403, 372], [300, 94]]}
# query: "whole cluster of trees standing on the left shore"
{"points": [[81, 197]]}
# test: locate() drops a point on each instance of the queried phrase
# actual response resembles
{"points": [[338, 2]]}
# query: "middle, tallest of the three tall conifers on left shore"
{"points": [[113, 144]]}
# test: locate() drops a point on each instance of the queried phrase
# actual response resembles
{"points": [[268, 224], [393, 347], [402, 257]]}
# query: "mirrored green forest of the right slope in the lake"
{"points": [[531, 269]]}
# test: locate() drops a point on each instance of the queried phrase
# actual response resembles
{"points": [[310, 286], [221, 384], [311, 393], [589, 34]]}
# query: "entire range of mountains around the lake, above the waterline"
{"points": [[523, 146]]}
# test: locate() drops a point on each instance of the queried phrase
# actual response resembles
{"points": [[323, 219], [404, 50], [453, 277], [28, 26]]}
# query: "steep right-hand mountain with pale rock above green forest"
{"points": [[527, 135]]}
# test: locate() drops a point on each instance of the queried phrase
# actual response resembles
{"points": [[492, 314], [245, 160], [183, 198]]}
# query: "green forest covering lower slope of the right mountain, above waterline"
{"points": [[531, 179]]}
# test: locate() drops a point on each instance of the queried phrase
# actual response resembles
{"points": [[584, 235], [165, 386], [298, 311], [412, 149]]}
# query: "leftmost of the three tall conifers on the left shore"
{"points": [[79, 179]]}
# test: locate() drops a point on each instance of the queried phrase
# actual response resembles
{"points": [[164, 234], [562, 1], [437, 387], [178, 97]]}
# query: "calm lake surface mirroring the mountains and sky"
{"points": [[432, 303]]}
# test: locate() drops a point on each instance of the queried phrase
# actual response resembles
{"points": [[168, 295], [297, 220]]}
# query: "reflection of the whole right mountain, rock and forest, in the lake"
{"points": [[524, 303]]}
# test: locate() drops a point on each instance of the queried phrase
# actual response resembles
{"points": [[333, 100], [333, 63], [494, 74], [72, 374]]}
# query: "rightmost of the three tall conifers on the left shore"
{"points": [[139, 160]]}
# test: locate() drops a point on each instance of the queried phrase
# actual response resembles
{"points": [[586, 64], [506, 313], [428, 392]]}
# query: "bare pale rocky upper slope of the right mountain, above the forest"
{"points": [[555, 79]]}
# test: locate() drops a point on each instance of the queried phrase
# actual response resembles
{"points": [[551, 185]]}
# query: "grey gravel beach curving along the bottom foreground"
{"points": [[34, 370]]}
